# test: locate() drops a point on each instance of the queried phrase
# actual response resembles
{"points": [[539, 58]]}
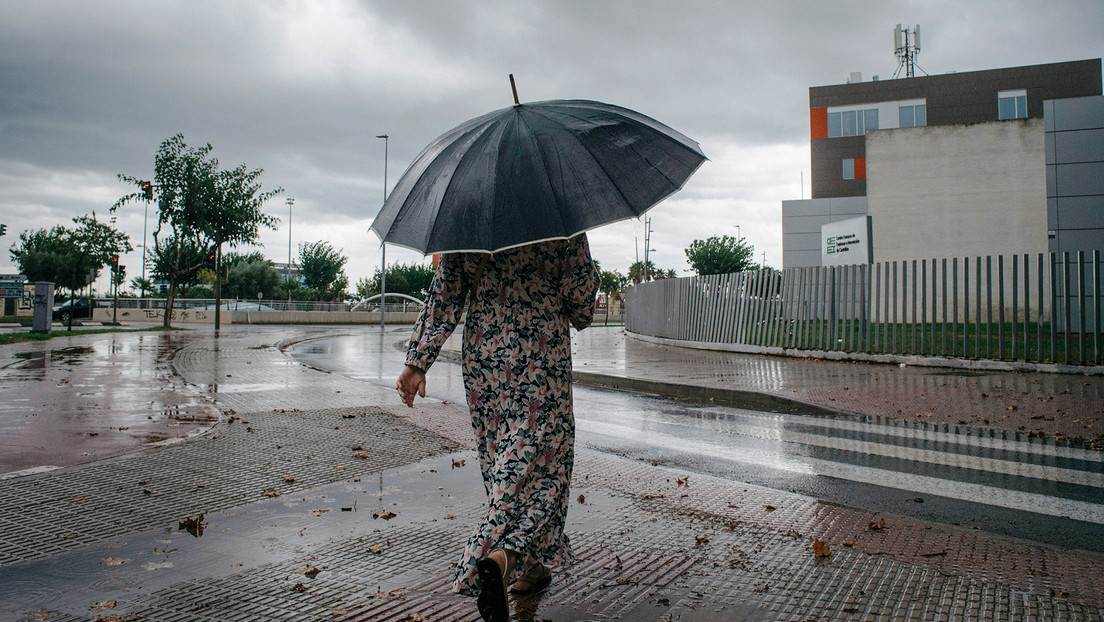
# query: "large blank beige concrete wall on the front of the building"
{"points": [[958, 191]]}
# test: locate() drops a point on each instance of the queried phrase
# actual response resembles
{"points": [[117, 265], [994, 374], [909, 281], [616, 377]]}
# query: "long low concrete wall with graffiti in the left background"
{"points": [[207, 317]]}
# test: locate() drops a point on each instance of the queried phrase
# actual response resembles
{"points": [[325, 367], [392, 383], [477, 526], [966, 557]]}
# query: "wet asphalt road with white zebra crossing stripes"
{"points": [[1017, 489]]}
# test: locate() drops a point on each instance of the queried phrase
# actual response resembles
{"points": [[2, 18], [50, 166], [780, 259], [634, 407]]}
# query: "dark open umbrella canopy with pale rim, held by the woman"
{"points": [[536, 172]]}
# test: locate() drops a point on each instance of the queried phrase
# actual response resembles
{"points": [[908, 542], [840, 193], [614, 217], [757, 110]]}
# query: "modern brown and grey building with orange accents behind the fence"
{"points": [[985, 163]]}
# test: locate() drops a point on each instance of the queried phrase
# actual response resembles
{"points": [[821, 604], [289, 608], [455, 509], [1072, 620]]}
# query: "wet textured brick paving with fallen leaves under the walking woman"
{"points": [[652, 543]]}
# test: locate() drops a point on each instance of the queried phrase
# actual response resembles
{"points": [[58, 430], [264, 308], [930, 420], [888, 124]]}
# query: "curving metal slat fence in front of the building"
{"points": [[1039, 309]]}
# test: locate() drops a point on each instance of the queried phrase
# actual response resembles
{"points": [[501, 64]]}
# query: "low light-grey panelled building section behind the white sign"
{"points": [[801, 227]]}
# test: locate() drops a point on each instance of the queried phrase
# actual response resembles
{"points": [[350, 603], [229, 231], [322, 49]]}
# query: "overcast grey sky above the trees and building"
{"points": [[301, 89]]}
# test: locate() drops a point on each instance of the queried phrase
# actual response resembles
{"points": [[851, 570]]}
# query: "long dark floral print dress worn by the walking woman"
{"points": [[517, 375]]}
